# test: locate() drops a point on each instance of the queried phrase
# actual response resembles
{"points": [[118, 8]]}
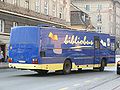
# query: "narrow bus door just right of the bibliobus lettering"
{"points": [[96, 49]]}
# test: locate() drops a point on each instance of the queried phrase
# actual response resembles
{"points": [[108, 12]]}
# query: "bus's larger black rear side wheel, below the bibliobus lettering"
{"points": [[67, 67]]}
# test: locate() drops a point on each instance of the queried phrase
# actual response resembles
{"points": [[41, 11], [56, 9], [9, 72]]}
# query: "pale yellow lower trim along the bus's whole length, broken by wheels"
{"points": [[56, 66]]}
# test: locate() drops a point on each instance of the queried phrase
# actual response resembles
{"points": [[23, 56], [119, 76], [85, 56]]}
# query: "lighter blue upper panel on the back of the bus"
{"points": [[24, 35]]}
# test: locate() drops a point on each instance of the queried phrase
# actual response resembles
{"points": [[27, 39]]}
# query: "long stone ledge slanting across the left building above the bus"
{"points": [[26, 12]]}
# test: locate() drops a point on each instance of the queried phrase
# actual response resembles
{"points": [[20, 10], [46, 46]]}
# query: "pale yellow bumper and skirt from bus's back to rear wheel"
{"points": [[58, 66]]}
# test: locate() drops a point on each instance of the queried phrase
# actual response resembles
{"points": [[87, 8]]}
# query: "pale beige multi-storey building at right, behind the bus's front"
{"points": [[105, 15]]}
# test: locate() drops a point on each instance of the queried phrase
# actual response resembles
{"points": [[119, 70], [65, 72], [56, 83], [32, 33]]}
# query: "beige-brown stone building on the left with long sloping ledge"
{"points": [[31, 12]]}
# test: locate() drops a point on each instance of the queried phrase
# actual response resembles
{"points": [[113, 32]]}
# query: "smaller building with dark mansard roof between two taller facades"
{"points": [[79, 19]]}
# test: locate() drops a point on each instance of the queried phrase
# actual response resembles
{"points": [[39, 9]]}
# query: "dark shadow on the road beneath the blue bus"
{"points": [[51, 74]]}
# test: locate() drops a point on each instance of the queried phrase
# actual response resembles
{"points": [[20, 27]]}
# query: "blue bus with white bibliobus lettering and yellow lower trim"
{"points": [[42, 49]]}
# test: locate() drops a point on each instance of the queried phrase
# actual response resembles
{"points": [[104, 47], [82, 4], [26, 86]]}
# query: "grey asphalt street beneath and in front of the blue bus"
{"points": [[86, 80]]}
